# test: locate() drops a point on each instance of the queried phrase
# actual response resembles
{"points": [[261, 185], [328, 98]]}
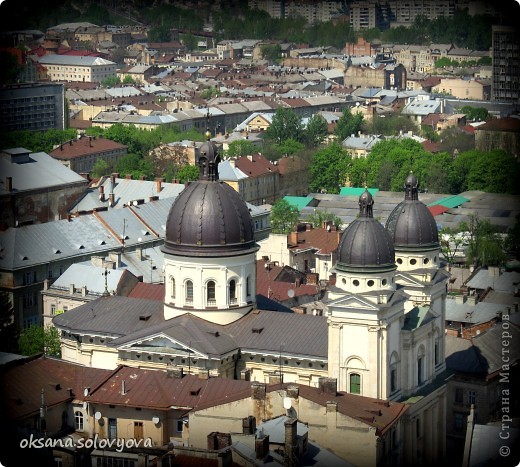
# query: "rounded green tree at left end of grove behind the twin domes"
{"points": [[329, 169]]}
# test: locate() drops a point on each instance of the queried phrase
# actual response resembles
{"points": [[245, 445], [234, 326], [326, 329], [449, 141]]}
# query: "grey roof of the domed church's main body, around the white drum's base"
{"points": [[290, 333]]}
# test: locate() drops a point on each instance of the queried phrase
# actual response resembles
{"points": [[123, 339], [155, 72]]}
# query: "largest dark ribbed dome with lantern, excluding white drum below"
{"points": [[208, 218]]}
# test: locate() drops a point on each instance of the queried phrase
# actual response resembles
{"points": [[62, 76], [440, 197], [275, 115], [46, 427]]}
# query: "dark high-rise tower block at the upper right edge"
{"points": [[505, 54]]}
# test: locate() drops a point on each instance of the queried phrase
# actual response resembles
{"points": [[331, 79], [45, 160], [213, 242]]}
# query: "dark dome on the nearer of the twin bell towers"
{"points": [[365, 244]]}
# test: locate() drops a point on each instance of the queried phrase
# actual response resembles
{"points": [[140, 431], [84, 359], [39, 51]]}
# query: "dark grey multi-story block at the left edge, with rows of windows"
{"points": [[32, 106]]}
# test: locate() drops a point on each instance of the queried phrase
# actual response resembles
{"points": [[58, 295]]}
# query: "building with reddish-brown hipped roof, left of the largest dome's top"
{"points": [[81, 154]]}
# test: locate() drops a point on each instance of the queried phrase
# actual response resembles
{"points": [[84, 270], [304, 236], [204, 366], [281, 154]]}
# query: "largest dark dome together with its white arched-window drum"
{"points": [[209, 250]]}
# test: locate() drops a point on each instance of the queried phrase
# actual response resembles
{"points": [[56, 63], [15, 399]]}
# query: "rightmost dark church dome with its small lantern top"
{"points": [[411, 224]]}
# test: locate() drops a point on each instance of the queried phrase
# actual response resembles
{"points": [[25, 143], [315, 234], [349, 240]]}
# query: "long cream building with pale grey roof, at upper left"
{"points": [[76, 68]]}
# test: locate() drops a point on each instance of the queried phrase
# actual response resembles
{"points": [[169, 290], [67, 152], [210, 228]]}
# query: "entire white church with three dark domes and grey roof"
{"points": [[382, 337]]}
